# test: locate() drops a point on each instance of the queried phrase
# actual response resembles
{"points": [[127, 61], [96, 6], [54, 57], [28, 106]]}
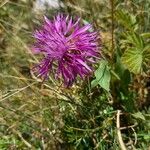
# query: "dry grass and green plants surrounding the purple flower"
{"points": [[109, 111]]}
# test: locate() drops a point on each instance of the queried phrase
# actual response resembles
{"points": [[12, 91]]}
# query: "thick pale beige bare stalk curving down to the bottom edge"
{"points": [[122, 145]]}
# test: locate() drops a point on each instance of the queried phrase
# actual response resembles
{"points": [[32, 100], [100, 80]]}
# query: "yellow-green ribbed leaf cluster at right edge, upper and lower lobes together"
{"points": [[137, 52]]}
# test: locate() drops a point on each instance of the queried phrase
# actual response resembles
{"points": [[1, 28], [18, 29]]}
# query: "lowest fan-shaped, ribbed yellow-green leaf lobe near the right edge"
{"points": [[132, 59]]}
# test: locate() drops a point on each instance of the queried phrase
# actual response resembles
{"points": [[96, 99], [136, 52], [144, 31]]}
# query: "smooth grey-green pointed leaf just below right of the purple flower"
{"points": [[102, 75]]}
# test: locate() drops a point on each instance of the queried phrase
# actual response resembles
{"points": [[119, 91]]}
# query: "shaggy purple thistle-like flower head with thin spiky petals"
{"points": [[69, 49]]}
